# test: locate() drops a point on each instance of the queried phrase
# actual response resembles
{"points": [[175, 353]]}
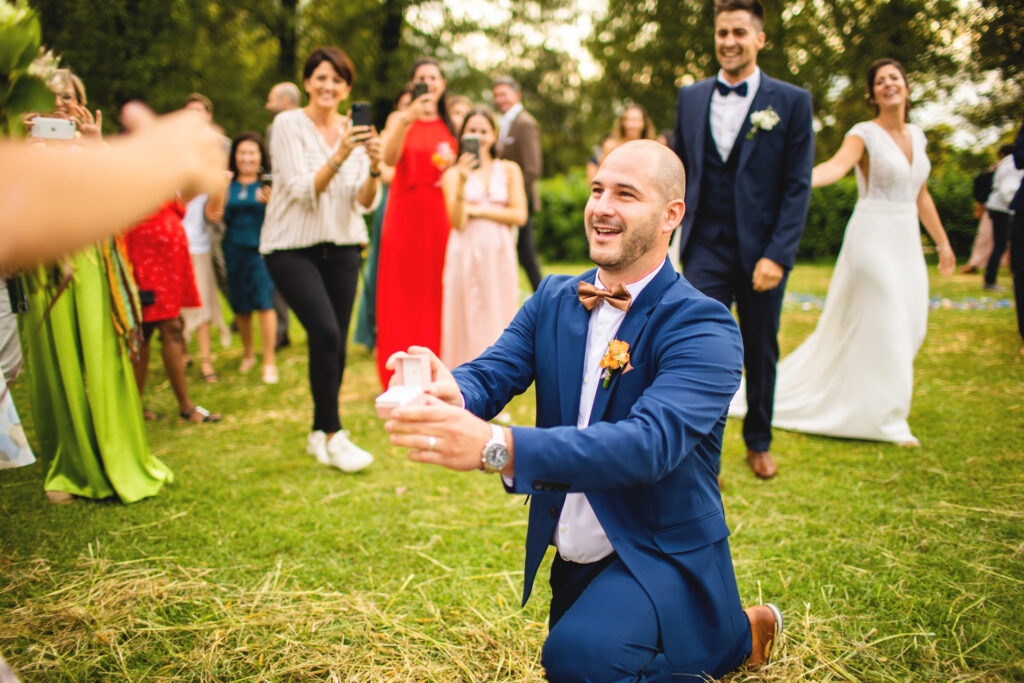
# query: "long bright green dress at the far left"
{"points": [[84, 403]]}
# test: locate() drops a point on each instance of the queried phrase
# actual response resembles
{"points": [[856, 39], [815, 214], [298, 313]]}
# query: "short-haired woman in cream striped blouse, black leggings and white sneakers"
{"points": [[326, 176]]}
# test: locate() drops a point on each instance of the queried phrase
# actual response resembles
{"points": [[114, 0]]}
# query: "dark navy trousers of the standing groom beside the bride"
{"points": [[714, 269]]}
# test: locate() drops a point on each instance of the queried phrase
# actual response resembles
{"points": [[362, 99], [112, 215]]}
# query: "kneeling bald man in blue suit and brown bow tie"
{"points": [[622, 465]]}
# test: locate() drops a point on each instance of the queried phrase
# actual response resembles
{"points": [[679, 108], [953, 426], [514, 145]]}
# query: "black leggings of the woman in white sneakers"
{"points": [[319, 283]]}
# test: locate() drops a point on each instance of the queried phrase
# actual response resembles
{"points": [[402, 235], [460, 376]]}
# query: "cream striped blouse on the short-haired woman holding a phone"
{"points": [[296, 216]]}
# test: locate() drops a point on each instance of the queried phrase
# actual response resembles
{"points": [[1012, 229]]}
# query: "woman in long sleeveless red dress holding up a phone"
{"points": [[419, 144]]}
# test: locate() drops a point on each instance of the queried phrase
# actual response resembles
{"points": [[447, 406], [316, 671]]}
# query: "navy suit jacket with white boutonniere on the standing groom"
{"points": [[774, 176]]}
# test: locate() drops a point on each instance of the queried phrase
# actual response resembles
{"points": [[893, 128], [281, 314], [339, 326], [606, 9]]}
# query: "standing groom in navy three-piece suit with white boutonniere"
{"points": [[748, 146]]}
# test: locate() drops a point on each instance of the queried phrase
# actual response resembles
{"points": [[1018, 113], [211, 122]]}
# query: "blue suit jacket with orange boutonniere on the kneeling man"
{"points": [[649, 462]]}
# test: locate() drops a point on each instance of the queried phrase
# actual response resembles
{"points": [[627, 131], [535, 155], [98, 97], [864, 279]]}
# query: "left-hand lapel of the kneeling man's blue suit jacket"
{"points": [[571, 346]]}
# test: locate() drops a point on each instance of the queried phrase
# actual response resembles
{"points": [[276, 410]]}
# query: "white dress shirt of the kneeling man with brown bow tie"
{"points": [[579, 536]]}
